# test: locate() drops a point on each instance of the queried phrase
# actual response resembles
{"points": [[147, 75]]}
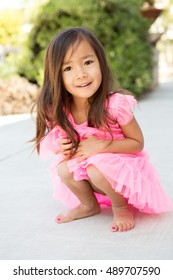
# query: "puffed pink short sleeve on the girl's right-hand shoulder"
{"points": [[122, 107]]}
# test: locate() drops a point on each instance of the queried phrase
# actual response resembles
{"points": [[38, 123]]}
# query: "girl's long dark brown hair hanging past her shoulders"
{"points": [[53, 103]]}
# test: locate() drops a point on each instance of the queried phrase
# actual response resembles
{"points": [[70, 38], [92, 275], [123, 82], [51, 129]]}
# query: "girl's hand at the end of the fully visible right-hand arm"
{"points": [[88, 147]]}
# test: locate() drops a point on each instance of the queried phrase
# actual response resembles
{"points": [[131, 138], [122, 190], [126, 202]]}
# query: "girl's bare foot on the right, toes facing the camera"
{"points": [[123, 219]]}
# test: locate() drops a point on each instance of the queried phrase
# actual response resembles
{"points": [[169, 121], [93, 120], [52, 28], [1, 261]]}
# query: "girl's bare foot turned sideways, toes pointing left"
{"points": [[81, 211]]}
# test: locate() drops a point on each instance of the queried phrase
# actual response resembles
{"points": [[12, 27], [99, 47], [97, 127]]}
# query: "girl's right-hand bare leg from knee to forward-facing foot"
{"points": [[123, 218]]}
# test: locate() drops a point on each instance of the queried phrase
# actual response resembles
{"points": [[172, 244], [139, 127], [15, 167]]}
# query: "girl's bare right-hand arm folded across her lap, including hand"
{"points": [[133, 142]]}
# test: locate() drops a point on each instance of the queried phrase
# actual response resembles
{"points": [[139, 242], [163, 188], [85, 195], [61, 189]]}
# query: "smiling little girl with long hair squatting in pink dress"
{"points": [[96, 140]]}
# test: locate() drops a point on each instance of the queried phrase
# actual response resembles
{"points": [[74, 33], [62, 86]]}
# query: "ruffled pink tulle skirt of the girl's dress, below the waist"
{"points": [[131, 175]]}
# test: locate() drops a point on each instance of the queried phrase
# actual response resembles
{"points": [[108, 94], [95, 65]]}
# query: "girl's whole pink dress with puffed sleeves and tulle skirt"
{"points": [[131, 175]]}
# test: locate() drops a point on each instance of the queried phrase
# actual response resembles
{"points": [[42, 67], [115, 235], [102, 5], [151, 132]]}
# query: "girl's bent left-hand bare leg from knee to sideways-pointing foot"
{"points": [[82, 189]]}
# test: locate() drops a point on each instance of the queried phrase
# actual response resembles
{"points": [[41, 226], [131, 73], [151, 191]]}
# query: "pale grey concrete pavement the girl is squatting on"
{"points": [[28, 230]]}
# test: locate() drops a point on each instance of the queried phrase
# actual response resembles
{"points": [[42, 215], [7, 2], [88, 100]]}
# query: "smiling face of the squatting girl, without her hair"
{"points": [[81, 72]]}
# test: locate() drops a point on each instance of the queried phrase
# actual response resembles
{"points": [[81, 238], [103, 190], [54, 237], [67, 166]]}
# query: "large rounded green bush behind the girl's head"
{"points": [[117, 23]]}
